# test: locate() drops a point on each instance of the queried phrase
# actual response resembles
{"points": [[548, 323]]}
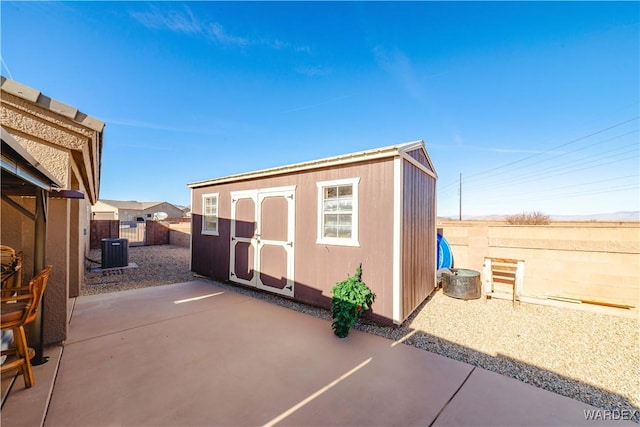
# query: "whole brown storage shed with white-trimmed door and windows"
{"points": [[297, 230]]}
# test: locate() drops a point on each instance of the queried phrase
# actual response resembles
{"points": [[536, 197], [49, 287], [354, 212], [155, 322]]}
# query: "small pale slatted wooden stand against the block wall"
{"points": [[501, 273]]}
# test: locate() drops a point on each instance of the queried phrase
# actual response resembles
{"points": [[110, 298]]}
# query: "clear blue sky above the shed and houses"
{"points": [[535, 104]]}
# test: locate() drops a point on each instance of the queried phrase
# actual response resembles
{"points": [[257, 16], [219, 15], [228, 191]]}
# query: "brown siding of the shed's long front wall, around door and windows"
{"points": [[317, 267]]}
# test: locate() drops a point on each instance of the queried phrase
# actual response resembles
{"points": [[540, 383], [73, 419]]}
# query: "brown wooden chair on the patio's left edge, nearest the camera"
{"points": [[17, 311]]}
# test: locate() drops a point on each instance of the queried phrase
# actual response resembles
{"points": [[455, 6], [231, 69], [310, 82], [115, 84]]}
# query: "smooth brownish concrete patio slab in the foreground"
{"points": [[195, 354]]}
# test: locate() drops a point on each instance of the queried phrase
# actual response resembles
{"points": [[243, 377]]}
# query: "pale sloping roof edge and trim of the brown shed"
{"points": [[378, 153]]}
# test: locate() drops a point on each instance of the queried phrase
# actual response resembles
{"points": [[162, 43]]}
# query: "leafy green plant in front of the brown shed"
{"points": [[350, 298]]}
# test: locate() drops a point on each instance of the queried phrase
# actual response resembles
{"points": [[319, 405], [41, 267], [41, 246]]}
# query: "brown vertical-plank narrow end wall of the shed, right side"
{"points": [[419, 260]]}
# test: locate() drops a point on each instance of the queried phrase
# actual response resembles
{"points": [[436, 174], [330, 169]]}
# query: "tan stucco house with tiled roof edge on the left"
{"points": [[68, 143]]}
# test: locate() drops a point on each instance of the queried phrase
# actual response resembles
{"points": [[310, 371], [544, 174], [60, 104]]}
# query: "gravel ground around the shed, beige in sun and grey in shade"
{"points": [[590, 357]]}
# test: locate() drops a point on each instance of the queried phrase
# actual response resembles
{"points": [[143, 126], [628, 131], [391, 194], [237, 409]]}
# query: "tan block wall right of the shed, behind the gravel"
{"points": [[586, 261]]}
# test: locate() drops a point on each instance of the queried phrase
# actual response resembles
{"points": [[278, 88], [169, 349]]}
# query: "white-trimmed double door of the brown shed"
{"points": [[262, 239]]}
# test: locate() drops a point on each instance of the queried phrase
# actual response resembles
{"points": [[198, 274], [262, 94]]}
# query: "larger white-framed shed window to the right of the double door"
{"points": [[338, 212]]}
